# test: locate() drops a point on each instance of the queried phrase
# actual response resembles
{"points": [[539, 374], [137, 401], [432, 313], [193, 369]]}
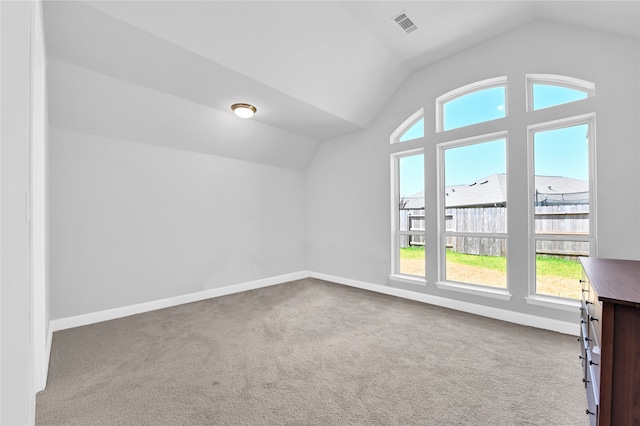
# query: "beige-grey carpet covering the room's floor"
{"points": [[311, 352]]}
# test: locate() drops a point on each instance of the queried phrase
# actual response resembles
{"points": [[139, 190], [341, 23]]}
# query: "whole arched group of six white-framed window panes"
{"points": [[465, 246]]}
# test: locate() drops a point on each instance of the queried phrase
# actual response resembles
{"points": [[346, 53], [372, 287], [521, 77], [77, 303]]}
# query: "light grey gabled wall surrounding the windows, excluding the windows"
{"points": [[348, 183]]}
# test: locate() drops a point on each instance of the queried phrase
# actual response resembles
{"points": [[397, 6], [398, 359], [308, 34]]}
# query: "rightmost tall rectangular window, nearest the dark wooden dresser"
{"points": [[560, 205]]}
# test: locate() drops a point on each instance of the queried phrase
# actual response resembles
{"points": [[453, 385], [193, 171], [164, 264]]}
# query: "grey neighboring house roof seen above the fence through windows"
{"points": [[492, 190]]}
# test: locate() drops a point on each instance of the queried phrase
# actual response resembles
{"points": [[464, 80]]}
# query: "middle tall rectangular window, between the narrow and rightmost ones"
{"points": [[473, 211]]}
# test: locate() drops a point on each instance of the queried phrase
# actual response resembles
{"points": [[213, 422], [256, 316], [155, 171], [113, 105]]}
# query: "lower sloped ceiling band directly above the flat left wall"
{"points": [[87, 101]]}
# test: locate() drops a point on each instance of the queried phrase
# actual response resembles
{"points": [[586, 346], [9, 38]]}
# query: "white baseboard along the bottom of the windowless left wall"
{"points": [[124, 311]]}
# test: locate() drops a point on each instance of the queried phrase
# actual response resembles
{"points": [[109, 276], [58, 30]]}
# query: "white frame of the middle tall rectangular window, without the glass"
{"points": [[475, 289]]}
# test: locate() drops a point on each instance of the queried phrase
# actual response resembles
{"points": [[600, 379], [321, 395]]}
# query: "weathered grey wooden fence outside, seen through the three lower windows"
{"points": [[567, 220]]}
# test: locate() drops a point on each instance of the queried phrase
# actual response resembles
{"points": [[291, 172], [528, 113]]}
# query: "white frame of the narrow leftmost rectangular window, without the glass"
{"points": [[395, 219]]}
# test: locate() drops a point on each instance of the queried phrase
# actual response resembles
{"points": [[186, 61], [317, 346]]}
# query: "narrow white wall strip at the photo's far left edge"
{"points": [[17, 396]]}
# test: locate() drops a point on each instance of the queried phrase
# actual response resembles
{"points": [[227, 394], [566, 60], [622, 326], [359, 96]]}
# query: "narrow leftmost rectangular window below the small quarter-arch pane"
{"points": [[408, 210]]}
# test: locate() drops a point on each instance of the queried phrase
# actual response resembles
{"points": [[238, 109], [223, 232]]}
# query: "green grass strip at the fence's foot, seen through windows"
{"points": [[544, 266]]}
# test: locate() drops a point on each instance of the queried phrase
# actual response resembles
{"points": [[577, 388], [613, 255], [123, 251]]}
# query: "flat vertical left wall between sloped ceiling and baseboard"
{"points": [[132, 223]]}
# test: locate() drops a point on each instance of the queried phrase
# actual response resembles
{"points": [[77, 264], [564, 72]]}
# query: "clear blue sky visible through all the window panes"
{"points": [[561, 152]]}
